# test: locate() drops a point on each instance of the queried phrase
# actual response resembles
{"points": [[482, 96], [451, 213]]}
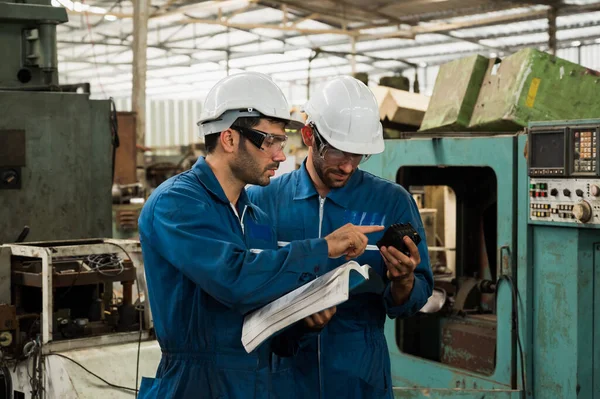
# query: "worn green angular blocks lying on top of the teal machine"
{"points": [[529, 85]]}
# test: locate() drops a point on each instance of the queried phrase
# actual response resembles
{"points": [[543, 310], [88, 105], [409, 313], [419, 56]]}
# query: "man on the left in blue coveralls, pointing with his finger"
{"points": [[200, 238]]}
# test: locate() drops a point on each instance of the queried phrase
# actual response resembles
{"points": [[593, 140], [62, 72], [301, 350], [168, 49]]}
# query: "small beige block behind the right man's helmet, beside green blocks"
{"points": [[401, 107]]}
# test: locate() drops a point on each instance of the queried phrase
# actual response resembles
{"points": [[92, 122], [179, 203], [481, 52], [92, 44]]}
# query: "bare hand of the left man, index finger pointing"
{"points": [[349, 240]]}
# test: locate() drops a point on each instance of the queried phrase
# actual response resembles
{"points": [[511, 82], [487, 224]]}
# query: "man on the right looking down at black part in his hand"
{"points": [[349, 358]]}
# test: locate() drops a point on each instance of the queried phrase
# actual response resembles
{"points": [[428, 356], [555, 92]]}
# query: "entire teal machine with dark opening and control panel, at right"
{"points": [[518, 315]]}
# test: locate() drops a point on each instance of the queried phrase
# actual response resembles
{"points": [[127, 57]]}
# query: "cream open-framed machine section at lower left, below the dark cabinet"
{"points": [[73, 302]]}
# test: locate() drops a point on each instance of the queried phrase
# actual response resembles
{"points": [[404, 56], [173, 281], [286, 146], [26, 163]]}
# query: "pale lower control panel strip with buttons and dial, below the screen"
{"points": [[565, 200]]}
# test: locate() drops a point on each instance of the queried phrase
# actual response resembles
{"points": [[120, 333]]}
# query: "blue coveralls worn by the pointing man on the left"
{"points": [[205, 271]]}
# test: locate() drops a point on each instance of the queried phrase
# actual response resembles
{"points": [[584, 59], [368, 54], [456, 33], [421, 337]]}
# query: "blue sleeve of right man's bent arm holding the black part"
{"points": [[423, 285]]}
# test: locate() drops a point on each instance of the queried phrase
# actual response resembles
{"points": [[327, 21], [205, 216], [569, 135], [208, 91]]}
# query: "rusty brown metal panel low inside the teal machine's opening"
{"points": [[470, 343]]}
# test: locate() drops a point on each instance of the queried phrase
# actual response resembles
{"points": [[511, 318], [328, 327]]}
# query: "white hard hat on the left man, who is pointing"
{"points": [[247, 94]]}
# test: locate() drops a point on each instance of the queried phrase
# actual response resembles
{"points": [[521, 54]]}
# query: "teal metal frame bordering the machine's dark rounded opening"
{"points": [[413, 376]]}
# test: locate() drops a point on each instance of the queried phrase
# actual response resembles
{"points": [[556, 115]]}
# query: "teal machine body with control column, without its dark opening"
{"points": [[552, 262]]}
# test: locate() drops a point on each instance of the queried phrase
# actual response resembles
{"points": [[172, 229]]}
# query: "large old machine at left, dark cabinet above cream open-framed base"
{"points": [[71, 304]]}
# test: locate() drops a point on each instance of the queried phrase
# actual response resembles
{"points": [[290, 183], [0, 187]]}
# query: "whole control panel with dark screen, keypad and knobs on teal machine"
{"points": [[564, 171]]}
